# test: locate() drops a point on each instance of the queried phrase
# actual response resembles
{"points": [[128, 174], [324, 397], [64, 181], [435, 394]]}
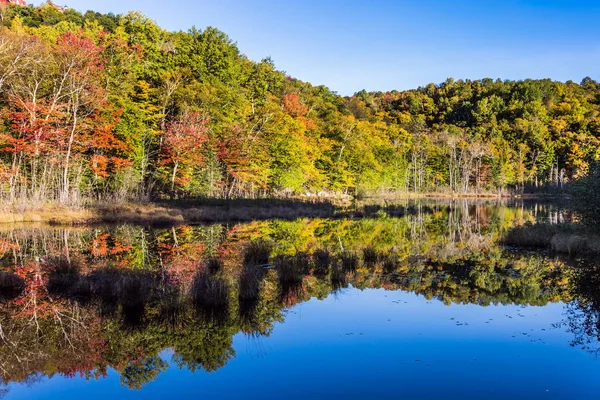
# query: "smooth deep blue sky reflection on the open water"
{"points": [[378, 344]]}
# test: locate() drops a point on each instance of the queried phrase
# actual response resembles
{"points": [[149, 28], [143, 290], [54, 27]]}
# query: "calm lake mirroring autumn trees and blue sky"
{"points": [[423, 304]]}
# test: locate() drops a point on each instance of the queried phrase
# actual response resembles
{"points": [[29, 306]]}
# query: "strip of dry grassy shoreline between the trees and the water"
{"points": [[178, 212]]}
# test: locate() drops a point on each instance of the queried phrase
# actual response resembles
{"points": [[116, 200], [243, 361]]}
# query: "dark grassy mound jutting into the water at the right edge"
{"points": [[571, 239]]}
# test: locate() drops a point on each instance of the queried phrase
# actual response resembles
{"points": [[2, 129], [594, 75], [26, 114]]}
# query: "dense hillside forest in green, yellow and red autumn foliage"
{"points": [[106, 107]]}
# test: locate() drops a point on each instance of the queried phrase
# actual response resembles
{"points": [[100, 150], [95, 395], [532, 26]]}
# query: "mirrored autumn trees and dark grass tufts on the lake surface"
{"points": [[78, 302]]}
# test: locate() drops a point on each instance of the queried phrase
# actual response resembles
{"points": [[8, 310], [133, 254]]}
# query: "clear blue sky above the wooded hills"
{"points": [[349, 45]]}
